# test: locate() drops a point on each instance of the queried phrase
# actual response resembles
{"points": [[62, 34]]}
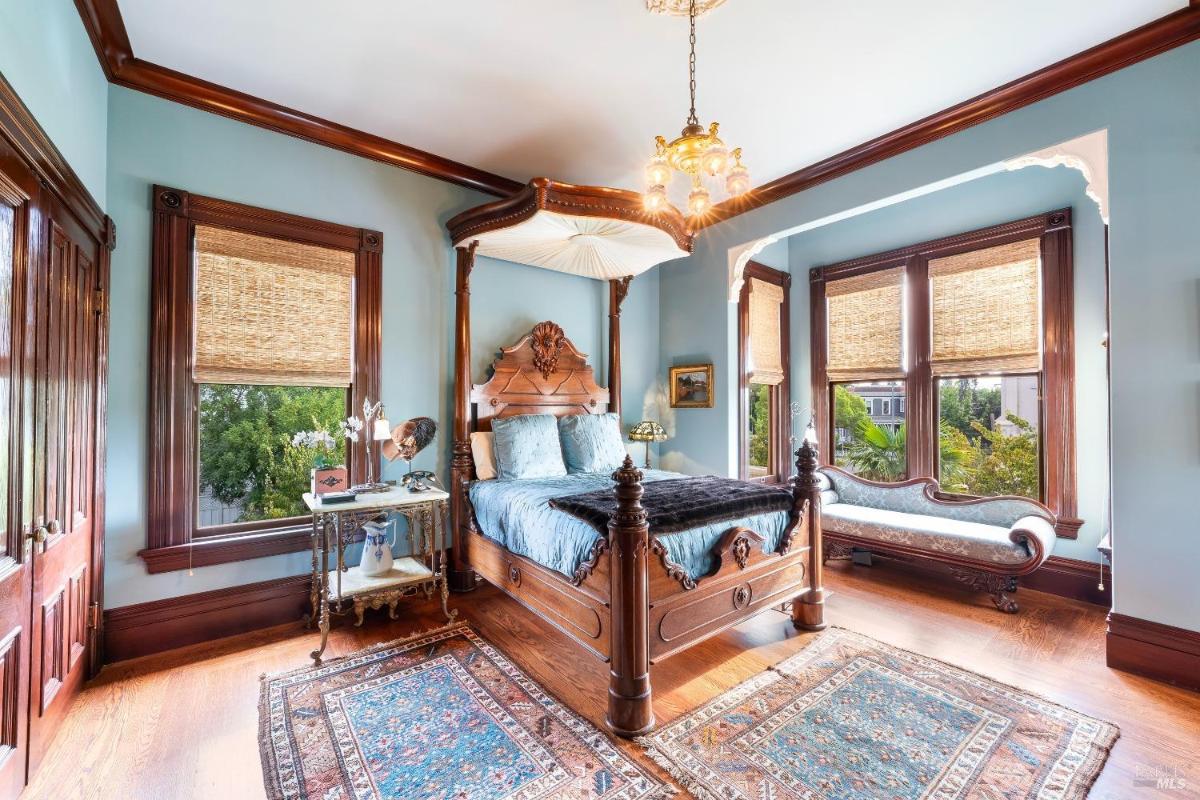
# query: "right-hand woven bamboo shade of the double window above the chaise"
{"points": [[987, 310]]}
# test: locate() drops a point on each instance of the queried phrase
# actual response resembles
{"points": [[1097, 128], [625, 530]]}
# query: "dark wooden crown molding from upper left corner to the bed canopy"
{"points": [[103, 20]]}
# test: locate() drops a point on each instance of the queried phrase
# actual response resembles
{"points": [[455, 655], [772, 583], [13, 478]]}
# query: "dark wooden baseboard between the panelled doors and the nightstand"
{"points": [[161, 625]]}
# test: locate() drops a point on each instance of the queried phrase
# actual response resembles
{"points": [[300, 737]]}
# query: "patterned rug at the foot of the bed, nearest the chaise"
{"points": [[851, 719]]}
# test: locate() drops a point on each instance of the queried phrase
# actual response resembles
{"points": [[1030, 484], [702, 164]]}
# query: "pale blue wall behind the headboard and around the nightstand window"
{"points": [[158, 142]]}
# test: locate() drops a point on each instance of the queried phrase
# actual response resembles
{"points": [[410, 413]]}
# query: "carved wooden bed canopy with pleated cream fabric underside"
{"points": [[590, 231]]}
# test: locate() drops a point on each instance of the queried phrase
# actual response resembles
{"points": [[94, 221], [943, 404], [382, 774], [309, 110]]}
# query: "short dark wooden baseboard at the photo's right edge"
{"points": [[1155, 651]]}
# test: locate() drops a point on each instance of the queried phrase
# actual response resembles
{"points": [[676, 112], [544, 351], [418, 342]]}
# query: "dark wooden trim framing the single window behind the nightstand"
{"points": [[172, 543]]}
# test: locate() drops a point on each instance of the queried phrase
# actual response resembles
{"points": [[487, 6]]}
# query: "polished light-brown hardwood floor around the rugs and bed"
{"points": [[185, 724]]}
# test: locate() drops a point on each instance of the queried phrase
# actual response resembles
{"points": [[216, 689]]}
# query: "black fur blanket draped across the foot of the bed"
{"points": [[682, 503]]}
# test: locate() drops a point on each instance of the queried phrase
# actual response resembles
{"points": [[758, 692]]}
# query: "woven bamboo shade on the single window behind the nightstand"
{"points": [[272, 312]]}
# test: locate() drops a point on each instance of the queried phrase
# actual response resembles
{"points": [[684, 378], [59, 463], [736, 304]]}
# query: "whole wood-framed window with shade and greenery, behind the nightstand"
{"points": [[266, 326]]}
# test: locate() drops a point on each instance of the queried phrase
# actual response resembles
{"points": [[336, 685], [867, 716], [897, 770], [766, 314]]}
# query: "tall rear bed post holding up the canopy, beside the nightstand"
{"points": [[463, 467]]}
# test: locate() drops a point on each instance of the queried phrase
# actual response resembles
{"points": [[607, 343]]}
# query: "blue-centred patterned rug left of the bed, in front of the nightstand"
{"points": [[439, 717]]}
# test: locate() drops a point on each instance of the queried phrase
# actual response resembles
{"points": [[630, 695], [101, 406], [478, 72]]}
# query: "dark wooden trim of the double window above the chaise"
{"points": [[1054, 228]]}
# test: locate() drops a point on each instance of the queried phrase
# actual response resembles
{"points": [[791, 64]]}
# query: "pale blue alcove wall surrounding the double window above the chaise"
{"points": [[985, 202]]}
